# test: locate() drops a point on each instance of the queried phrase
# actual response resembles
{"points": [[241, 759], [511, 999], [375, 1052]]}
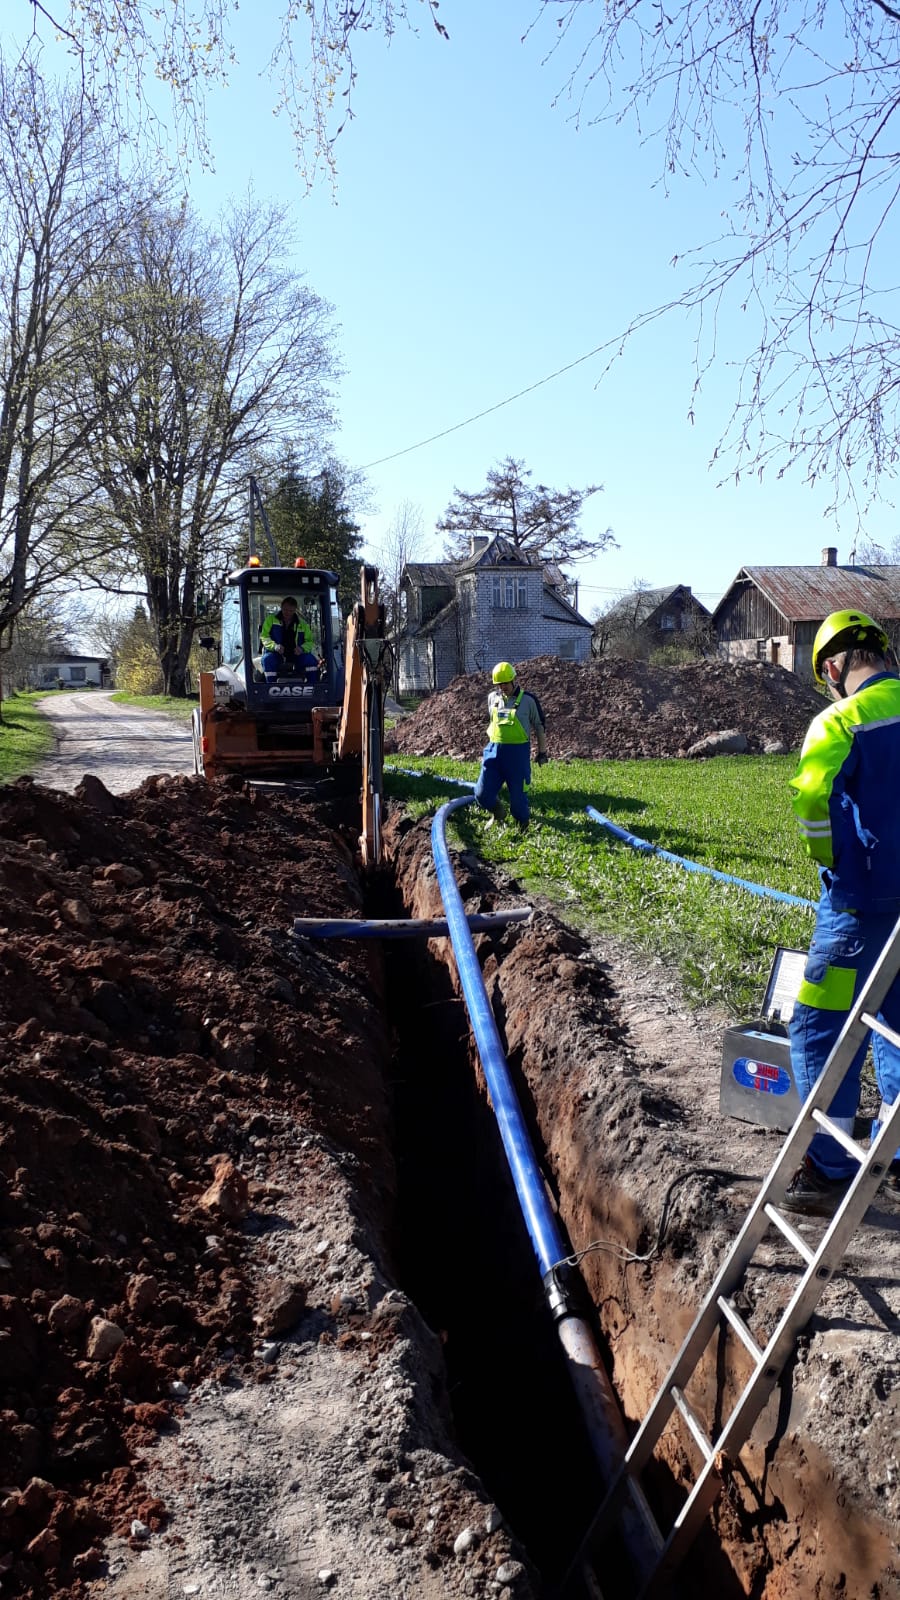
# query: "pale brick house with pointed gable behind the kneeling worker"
{"points": [[494, 606]]}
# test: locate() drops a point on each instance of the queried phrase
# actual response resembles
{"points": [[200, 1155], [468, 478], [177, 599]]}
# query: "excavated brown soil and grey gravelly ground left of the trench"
{"points": [[196, 1178]]}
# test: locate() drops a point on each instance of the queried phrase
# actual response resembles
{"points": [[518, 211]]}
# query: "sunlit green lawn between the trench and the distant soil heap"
{"points": [[731, 814]]}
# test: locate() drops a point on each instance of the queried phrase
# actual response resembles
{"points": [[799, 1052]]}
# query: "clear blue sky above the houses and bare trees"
{"points": [[475, 244]]}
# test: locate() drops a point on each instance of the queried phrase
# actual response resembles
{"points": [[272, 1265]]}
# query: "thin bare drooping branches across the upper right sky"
{"points": [[792, 108]]}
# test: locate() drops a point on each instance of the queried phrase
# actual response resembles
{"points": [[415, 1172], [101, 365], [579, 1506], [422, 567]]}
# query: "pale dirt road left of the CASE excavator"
{"points": [[118, 743]]}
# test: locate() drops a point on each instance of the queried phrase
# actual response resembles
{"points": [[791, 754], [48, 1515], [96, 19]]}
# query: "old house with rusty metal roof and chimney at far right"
{"points": [[773, 614]]}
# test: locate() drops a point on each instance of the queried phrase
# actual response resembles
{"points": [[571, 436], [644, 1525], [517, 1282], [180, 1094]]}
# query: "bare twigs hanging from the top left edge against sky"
{"points": [[187, 46]]}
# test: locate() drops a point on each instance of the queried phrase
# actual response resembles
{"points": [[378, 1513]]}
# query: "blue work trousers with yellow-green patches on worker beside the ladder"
{"points": [[850, 943]]}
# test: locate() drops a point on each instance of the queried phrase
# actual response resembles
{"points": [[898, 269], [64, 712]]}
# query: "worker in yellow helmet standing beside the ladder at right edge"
{"points": [[845, 796]]}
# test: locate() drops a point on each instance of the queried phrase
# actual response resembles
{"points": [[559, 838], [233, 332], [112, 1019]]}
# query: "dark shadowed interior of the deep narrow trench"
{"points": [[464, 1257]]}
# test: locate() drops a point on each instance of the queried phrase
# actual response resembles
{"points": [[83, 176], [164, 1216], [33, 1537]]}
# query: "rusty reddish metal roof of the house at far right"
{"points": [[808, 594]]}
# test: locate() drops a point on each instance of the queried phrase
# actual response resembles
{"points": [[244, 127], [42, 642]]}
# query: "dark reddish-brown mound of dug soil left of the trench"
{"points": [[156, 1031]]}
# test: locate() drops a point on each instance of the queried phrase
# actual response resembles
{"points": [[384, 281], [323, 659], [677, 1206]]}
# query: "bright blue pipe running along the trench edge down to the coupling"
{"points": [[516, 1143]]}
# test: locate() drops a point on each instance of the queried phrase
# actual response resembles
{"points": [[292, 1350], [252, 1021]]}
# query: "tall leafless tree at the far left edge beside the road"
{"points": [[60, 217]]}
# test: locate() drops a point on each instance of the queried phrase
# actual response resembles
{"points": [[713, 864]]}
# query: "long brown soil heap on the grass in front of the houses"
{"points": [[621, 710]]}
